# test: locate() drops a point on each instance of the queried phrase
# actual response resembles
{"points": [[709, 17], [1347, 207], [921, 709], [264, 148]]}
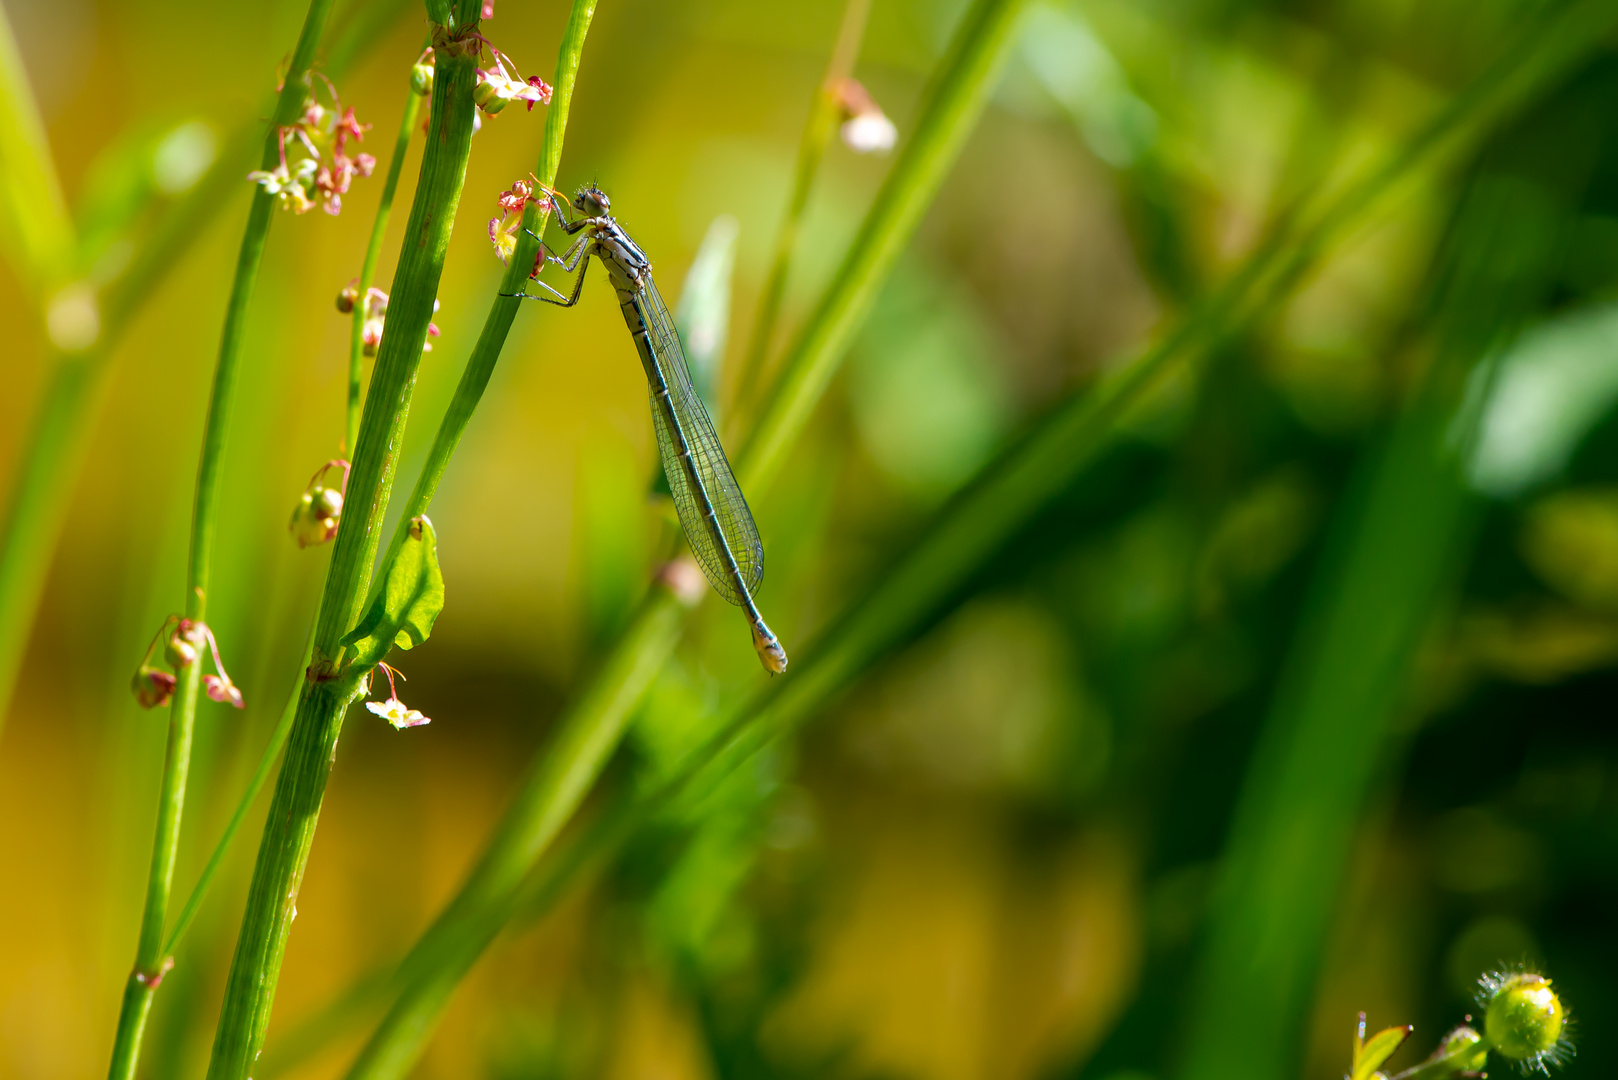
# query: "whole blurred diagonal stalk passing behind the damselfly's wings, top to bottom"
{"points": [[590, 733]]}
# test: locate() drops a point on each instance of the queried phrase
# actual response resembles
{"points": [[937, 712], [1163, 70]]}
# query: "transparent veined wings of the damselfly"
{"points": [[709, 480]]}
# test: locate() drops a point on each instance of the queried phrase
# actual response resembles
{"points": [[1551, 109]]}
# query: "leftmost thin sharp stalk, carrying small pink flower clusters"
{"points": [[150, 959]]}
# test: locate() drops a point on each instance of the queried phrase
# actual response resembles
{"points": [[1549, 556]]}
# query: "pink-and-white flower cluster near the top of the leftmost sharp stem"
{"points": [[326, 169]]}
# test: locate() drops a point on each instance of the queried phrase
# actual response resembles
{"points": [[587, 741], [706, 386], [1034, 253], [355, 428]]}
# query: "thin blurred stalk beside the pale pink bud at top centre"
{"points": [[816, 137]]}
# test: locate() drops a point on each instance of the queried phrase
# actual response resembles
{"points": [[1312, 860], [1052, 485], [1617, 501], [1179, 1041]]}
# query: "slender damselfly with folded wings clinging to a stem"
{"points": [[713, 511]]}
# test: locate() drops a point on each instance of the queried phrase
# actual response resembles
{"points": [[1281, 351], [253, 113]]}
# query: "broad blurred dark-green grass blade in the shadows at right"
{"points": [[1400, 546]]}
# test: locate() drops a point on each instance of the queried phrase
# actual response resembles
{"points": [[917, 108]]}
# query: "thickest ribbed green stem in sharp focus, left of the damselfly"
{"points": [[300, 789]]}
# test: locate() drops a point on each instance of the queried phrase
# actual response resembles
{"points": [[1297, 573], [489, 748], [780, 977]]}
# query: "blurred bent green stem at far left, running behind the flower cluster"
{"points": [[59, 432]]}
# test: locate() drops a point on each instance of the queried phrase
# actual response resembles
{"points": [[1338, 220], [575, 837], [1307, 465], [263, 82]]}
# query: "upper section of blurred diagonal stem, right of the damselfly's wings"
{"points": [[952, 108]]}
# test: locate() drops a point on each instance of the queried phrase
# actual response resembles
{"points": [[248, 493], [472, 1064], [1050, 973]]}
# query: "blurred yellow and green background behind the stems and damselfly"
{"points": [[1357, 568]]}
